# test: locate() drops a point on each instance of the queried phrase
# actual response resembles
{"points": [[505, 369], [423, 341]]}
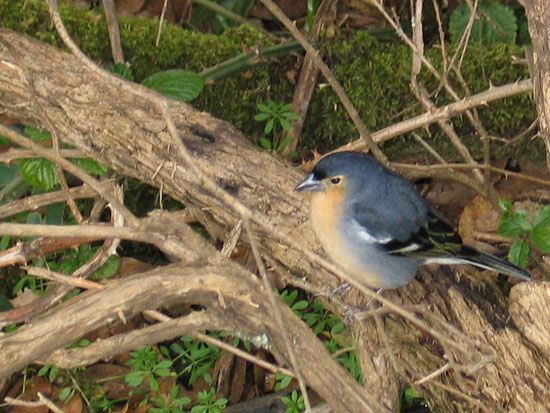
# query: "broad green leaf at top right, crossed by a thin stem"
{"points": [[493, 23]]}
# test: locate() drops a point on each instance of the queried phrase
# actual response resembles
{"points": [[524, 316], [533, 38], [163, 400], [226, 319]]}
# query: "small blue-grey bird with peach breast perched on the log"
{"points": [[377, 227]]}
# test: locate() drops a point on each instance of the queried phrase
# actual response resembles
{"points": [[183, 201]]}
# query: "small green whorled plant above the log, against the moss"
{"points": [[277, 118]]}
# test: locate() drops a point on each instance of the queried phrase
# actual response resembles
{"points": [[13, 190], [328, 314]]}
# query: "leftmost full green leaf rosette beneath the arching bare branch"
{"points": [[146, 365]]}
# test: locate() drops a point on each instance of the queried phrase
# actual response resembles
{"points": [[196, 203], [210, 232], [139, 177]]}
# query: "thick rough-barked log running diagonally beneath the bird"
{"points": [[501, 369]]}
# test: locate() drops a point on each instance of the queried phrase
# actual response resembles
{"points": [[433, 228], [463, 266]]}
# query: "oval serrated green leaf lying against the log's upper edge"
{"points": [[177, 84]]}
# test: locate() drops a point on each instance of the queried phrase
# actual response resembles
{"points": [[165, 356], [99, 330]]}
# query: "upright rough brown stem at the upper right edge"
{"points": [[538, 17]]}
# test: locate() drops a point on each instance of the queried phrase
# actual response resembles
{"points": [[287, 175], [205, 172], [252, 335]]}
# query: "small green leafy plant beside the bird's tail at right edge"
{"points": [[527, 232]]}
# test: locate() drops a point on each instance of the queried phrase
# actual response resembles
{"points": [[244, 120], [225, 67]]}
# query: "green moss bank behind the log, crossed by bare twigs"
{"points": [[375, 74]]}
